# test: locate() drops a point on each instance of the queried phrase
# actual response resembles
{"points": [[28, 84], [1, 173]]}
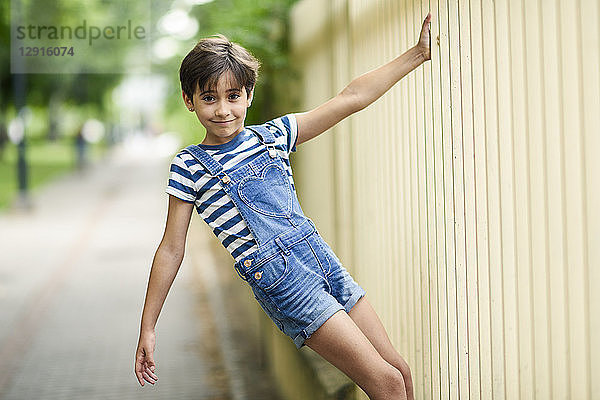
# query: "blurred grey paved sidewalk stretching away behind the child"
{"points": [[73, 274]]}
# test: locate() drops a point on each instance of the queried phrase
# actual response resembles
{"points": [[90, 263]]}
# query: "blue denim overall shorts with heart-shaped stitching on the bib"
{"points": [[294, 274]]}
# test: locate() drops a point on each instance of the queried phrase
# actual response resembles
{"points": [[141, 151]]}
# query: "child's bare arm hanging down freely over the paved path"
{"points": [[165, 265]]}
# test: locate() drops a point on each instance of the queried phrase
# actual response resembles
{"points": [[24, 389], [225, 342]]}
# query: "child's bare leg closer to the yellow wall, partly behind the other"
{"points": [[369, 323]]}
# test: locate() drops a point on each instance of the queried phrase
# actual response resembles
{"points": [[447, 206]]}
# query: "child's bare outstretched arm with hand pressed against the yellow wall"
{"points": [[364, 90]]}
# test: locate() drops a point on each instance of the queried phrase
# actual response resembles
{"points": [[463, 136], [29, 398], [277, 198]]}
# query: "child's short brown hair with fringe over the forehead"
{"points": [[212, 57]]}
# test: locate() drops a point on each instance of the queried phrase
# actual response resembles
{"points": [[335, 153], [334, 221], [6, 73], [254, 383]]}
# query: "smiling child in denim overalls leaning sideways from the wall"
{"points": [[240, 181]]}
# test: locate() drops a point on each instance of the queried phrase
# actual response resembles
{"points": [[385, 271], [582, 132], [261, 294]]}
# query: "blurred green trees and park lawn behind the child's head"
{"points": [[72, 111]]}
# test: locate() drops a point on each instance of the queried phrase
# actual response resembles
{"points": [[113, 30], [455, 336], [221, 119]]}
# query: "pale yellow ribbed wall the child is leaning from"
{"points": [[467, 199]]}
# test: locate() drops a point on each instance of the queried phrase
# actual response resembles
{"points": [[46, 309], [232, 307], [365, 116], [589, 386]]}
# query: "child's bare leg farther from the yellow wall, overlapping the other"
{"points": [[340, 341]]}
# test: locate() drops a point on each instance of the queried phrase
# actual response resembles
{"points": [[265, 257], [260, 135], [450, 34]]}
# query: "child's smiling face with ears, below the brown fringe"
{"points": [[221, 112]]}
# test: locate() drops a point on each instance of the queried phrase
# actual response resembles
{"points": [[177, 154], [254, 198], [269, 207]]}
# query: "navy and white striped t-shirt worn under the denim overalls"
{"points": [[190, 182]]}
